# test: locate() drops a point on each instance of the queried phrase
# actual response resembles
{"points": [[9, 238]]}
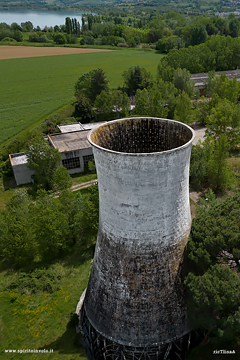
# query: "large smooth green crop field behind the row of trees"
{"points": [[32, 88]]}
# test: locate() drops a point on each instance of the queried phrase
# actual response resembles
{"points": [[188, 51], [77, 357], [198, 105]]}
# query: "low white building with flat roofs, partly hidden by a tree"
{"points": [[73, 145]]}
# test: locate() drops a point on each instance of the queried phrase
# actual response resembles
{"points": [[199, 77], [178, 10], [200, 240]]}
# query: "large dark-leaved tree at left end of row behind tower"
{"points": [[91, 84]]}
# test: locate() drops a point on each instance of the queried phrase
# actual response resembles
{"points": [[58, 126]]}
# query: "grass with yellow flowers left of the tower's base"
{"points": [[43, 320]]}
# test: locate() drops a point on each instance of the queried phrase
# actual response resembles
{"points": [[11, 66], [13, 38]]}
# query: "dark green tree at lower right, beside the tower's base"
{"points": [[215, 301]]}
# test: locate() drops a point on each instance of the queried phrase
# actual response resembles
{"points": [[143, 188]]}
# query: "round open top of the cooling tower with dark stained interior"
{"points": [[141, 135]]}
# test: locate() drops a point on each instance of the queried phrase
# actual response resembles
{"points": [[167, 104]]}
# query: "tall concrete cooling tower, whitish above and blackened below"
{"points": [[134, 306]]}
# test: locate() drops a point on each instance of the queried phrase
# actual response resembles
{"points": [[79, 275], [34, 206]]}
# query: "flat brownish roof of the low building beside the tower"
{"points": [[71, 141]]}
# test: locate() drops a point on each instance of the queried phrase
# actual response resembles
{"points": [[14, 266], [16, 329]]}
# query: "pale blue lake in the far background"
{"points": [[39, 17]]}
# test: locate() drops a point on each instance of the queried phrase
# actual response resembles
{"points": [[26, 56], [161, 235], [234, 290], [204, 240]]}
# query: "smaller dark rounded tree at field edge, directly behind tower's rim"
{"points": [[135, 78]]}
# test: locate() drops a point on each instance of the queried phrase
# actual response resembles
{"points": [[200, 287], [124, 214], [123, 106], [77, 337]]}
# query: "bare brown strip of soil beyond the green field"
{"points": [[14, 52]]}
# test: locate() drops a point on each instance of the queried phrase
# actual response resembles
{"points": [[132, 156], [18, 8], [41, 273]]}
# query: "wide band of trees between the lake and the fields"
{"points": [[169, 31]]}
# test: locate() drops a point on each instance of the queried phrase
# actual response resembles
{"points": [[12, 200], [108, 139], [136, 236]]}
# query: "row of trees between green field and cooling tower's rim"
{"points": [[152, 97]]}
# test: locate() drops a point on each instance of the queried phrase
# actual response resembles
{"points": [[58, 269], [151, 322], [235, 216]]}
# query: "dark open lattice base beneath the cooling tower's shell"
{"points": [[98, 347]]}
